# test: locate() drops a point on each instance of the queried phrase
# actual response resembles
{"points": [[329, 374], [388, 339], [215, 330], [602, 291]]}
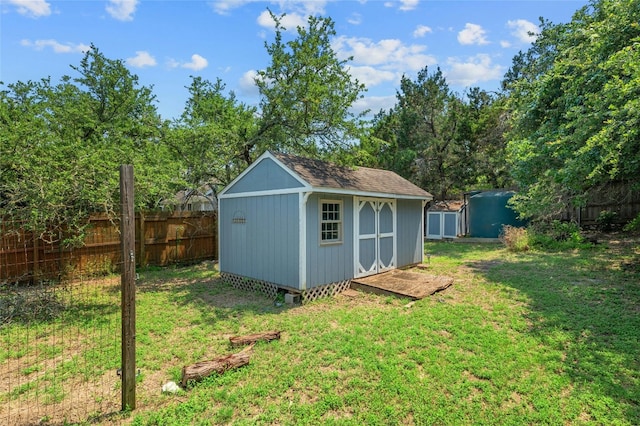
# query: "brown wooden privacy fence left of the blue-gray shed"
{"points": [[161, 239]]}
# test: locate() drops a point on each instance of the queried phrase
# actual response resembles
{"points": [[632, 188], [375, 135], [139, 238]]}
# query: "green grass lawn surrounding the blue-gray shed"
{"points": [[529, 338]]}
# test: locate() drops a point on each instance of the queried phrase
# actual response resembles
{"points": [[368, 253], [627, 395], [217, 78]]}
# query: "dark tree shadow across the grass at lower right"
{"points": [[585, 305]]}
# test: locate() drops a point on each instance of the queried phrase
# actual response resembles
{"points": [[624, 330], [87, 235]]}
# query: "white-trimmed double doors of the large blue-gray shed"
{"points": [[375, 244]]}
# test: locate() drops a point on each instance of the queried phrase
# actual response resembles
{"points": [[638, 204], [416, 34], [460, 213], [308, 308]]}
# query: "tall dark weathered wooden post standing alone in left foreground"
{"points": [[128, 288]]}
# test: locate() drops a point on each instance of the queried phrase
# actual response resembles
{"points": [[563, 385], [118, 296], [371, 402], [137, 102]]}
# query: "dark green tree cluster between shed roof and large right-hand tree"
{"points": [[441, 141]]}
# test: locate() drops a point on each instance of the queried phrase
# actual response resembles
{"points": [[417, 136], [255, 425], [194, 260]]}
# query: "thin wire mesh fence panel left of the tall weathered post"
{"points": [[60, 338]]}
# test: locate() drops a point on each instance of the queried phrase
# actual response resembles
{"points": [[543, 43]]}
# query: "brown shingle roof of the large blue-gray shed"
{"points": [[321, 174]]}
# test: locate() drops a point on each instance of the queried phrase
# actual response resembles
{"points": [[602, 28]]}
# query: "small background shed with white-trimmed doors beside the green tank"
{"points": [[445, 219]]}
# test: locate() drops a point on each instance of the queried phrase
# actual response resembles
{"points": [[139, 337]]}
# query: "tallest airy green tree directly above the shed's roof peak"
{"points": [[307, 92]]}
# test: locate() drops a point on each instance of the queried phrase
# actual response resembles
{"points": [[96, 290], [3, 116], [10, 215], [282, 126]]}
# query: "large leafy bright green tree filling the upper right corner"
{"points": [[574, 102]]}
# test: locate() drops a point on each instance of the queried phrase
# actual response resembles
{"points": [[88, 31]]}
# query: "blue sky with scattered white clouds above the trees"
{"points": [[166, 42]]}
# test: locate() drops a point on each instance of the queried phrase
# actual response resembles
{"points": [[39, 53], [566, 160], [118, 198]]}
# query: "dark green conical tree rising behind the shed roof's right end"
{"points": [[426, 136]]}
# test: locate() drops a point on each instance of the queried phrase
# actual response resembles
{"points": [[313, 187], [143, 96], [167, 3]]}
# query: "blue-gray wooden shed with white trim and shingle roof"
{"points": [[310, 226]]}
